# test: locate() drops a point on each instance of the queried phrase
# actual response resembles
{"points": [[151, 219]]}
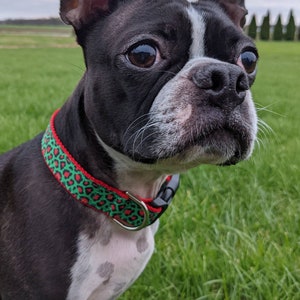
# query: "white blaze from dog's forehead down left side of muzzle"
{"points": [[171, 108]]}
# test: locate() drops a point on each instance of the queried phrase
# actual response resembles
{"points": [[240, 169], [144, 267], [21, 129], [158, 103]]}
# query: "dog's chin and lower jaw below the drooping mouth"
{"points": [[221, 147]]}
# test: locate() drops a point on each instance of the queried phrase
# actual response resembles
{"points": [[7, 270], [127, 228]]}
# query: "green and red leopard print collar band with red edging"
{"points": [[87, 190]]}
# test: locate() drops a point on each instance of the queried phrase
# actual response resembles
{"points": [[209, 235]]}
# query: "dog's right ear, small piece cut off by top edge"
{"points": [[236, 10]]}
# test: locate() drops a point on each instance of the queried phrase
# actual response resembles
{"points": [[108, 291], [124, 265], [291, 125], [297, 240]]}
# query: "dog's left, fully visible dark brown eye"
{"points": [[142, 56]]}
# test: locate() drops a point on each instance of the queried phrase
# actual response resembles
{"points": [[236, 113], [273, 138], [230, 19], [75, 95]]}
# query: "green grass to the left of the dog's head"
{"points": [[34, 82]]}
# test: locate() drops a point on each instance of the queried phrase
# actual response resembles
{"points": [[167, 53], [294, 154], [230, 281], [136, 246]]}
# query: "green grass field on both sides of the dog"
{"points": [[232, 232]]}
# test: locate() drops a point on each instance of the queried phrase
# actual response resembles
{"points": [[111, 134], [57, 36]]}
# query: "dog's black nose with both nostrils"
{"points": [[224, 84]]}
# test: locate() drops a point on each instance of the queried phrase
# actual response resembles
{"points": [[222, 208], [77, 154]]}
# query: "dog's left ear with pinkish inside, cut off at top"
{"points": [[81, 12]]}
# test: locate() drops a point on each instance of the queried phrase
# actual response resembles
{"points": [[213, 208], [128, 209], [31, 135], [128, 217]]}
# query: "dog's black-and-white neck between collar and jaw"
{"points": [[103, 162]]}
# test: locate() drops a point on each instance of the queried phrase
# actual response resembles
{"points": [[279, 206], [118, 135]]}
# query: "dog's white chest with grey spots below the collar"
{"points": [[109, 262]]}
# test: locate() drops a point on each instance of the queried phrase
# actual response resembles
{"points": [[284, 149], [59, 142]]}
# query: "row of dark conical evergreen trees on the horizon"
{"points": [[277, 32]]}
